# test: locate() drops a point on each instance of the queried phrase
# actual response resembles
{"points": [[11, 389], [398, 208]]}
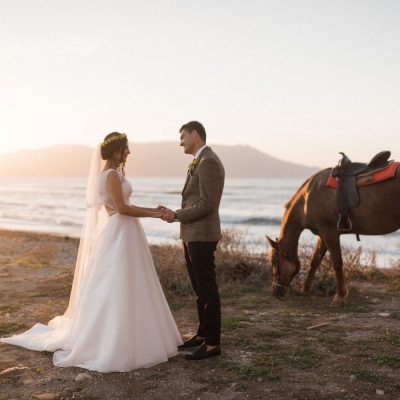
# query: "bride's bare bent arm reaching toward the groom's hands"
{"points": [[114, 187]]}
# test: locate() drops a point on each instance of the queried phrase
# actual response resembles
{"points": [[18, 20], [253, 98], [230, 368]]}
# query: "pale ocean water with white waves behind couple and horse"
{"points": [[254, 207]]}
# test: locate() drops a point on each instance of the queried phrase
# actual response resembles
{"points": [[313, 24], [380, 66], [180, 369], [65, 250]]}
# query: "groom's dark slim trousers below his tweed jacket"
{"points": [[200, 264]]}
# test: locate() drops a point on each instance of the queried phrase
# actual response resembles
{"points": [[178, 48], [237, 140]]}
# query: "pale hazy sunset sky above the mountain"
{"points": [[298, 79]]}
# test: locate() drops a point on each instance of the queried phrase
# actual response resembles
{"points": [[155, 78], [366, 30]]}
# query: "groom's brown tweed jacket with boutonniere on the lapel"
{"points": [[201, 195]]}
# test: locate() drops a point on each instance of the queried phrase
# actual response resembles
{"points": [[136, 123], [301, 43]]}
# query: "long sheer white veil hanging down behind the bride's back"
{"points": [[94, 221]]}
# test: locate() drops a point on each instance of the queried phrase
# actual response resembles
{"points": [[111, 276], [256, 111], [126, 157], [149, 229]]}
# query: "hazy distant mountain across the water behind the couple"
{"points": [[147, 159]]}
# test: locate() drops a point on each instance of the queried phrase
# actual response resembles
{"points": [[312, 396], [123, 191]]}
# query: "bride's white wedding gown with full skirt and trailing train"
{"points": [[121, 320]]}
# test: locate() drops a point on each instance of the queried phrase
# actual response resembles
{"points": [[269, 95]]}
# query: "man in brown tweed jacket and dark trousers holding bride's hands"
{"points": [[200, 232]]}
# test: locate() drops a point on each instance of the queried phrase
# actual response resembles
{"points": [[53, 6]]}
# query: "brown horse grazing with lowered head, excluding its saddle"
{"points": [[314, 207]]}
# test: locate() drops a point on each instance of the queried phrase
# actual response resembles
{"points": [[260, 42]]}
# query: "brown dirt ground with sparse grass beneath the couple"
{"points": [[301, 348]]}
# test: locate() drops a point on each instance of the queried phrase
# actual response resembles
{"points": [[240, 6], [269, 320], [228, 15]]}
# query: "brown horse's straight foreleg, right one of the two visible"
{"points": [[332, 241]]}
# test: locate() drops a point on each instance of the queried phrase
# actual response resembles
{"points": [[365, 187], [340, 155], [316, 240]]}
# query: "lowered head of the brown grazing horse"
{"points": [[283, 269]]}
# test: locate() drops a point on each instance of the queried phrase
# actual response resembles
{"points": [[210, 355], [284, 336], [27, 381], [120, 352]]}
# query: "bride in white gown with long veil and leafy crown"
{"points": [[117, 317]]}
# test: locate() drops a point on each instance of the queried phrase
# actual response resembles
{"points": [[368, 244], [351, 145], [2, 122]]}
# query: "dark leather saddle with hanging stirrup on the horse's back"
{"points": [[346, 173]]}
